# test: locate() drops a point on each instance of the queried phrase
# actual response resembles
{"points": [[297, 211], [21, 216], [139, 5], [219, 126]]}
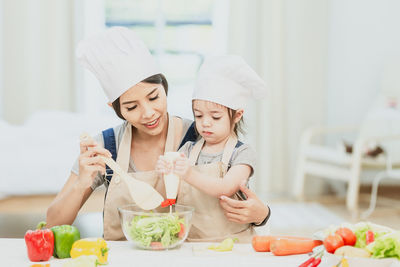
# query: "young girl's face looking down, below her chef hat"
{"points": [[212, 121]]}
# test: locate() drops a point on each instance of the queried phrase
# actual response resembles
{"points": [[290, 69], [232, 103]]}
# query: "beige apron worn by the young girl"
{"points": [[209, 223]]}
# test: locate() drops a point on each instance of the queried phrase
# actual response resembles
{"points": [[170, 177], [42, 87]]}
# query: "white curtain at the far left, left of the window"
{"points": [[37, 57]]}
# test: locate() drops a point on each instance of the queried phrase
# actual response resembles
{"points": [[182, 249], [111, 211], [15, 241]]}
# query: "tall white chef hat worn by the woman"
{"points": [[118, 58]]}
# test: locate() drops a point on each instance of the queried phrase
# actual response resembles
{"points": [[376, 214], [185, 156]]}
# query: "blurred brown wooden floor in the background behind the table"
{"points": [[18, 214]]}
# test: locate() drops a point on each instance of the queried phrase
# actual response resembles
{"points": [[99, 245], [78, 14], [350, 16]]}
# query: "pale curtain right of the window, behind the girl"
{"points": [[286, 43]]}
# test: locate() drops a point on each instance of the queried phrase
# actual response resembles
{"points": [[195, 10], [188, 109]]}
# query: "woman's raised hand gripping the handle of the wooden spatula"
{"points": [[90, 163]]}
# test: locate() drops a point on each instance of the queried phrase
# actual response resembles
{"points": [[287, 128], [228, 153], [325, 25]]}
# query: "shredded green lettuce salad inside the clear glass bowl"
{"points": [[156, 231]]}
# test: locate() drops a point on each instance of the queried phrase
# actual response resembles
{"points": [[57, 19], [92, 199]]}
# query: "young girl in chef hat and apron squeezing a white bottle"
{"points": [[218, 163]]}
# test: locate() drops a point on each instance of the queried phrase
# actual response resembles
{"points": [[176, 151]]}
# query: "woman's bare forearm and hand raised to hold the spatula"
{"points": [[76, 191]]}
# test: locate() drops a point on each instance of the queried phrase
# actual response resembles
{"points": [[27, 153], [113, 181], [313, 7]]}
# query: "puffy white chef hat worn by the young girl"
{"points": [[229, 81]]}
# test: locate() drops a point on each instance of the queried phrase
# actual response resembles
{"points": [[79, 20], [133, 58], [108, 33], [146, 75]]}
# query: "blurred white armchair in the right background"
{"points": [[381, 126]]}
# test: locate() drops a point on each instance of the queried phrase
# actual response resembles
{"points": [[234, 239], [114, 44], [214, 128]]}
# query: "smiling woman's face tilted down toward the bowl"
{"points": [[145, 107]]}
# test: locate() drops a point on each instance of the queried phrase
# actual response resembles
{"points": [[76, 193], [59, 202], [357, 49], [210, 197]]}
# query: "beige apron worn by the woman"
{"points": [[117, 193]]}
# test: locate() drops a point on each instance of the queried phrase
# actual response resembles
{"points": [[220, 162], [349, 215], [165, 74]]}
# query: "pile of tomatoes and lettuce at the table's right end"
{"points": [[363, 240]]}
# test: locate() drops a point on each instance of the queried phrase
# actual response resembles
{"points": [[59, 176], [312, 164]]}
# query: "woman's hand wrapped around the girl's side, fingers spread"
{"points": [[252, 210]]}
